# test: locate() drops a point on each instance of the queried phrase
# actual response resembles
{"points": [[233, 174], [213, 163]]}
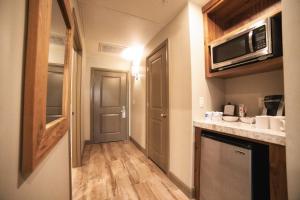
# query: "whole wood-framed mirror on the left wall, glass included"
{"points": [[46, 79]]}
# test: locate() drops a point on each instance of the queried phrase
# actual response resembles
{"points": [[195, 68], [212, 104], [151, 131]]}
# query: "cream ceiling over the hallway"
{"points": [[125, 22]]}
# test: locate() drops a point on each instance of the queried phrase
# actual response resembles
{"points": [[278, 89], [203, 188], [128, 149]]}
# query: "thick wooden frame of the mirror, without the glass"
{"points": [[38, 138]]}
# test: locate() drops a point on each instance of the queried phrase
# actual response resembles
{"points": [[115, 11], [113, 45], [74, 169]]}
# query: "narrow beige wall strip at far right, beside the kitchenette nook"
{"points": [[291, 56]]}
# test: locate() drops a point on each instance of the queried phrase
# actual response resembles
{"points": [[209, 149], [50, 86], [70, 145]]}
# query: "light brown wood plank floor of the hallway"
{"points": [[120, 171]]}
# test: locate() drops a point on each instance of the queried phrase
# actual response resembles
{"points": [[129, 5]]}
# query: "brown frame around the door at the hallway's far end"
{"points": [[93, 69]]}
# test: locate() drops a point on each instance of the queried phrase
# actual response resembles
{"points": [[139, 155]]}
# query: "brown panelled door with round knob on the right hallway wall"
{"points": [[157, 107]]}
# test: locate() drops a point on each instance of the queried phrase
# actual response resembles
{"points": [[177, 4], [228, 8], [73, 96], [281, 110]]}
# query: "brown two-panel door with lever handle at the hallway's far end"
{"points": [[109, 105]]}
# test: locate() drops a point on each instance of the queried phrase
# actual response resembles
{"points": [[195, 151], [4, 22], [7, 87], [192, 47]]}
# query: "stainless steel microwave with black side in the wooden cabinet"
{"points": [[259, 41]]}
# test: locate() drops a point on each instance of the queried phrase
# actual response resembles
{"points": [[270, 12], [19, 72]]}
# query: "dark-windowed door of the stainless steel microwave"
{"points": [[230, 51]]}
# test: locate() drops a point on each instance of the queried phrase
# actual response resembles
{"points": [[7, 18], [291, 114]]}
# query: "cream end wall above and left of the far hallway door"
{"points": [[103, 61]]}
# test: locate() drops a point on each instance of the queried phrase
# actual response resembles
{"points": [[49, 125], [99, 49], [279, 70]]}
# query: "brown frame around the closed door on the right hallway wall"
{"points": [[163, 44]]}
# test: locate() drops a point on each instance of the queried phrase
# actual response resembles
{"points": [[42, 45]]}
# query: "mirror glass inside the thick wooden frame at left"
{"points": [[56, 60]]}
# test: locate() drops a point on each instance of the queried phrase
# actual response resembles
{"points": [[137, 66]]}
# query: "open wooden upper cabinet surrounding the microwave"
{"points": [[223, 17]]}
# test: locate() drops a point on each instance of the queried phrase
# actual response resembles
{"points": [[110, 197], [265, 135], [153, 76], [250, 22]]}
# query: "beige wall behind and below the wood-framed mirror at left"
{"points": [[51, 178]]}
